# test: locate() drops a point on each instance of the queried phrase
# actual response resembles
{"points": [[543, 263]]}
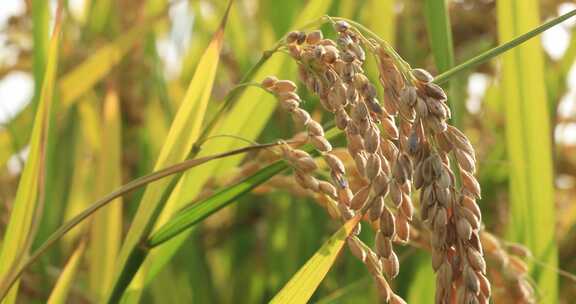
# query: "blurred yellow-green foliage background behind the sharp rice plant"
{"points": [[111, 116]]}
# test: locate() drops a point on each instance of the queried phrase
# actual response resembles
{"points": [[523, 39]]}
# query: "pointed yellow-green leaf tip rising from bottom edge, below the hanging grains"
{"points": [[302, 285]]}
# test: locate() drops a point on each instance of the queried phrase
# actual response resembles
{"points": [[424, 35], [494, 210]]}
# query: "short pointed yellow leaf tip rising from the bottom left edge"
{"points": [[66, 279]]}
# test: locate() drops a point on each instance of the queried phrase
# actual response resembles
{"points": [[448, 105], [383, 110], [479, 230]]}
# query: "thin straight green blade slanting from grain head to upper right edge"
{"points": [[502, 48]]}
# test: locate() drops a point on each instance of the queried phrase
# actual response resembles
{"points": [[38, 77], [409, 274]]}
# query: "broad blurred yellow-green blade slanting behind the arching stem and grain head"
{"points": [[239, 120]]}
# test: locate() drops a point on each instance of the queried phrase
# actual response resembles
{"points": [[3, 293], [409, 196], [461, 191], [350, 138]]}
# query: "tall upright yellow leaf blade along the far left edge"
{"points": [[30, 188]]}
